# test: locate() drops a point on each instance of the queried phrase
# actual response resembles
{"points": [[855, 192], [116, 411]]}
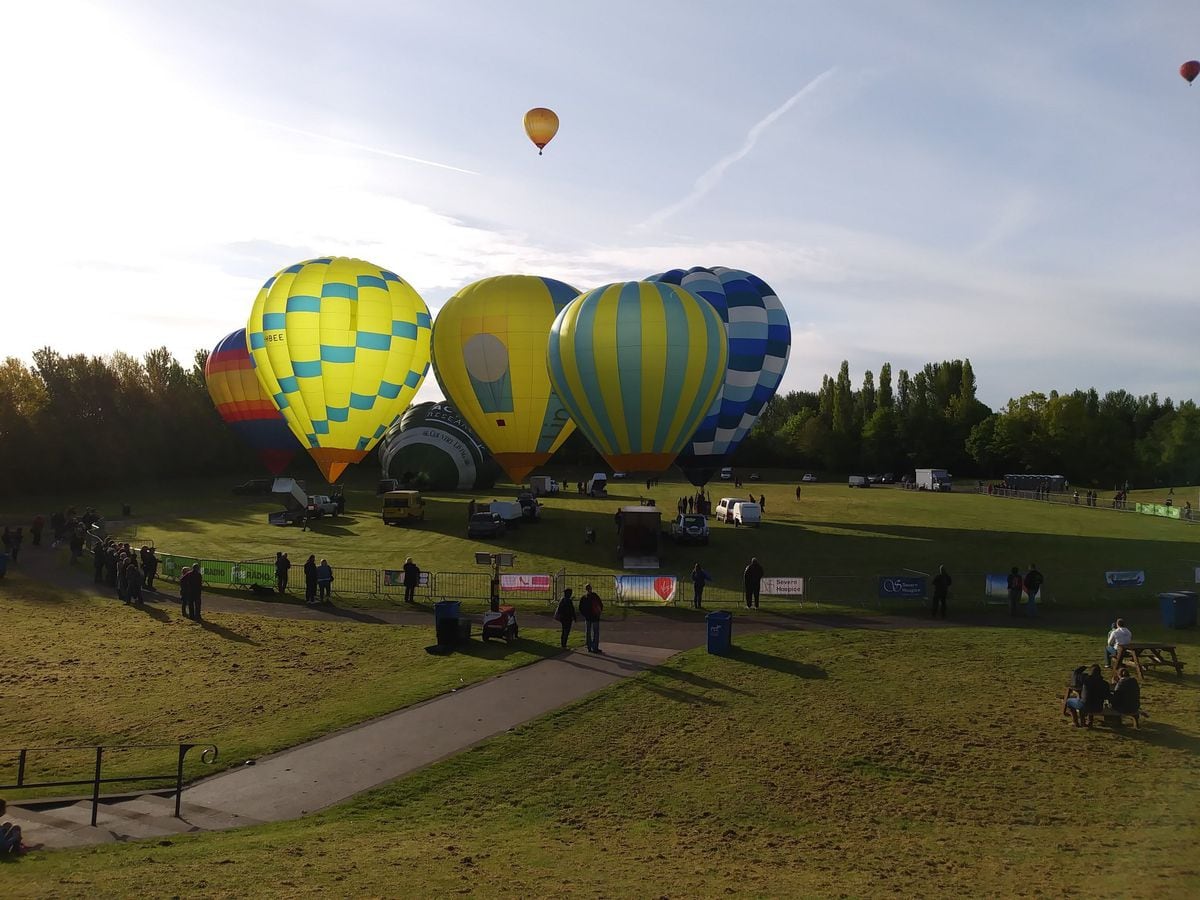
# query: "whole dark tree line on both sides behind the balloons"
{"points": [[94, 422]]}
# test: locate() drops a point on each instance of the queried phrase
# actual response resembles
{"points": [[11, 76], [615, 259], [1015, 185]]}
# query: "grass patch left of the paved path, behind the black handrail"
{"points": [[83, 670]]}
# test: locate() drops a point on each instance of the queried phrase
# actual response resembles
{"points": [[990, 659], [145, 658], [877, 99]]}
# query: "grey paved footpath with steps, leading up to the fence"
{"points": [[337, 767]]}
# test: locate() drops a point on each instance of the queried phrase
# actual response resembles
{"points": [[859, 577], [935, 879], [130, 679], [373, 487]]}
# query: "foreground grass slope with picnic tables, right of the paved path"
{"points": [[928, 763]]}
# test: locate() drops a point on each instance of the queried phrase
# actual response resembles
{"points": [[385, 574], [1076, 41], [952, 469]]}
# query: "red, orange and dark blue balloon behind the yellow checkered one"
{"points": [[241, 401]]}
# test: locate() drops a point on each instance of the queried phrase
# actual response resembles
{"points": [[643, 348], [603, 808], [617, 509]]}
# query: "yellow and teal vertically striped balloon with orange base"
{"points": [[638, 365]]}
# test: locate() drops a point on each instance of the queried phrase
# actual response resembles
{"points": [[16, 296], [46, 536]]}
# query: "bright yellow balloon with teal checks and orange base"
{"points": [[341, 346]]}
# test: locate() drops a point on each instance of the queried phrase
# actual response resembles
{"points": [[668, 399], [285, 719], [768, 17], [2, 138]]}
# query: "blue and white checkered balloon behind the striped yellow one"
{"points": [[760, 344]]}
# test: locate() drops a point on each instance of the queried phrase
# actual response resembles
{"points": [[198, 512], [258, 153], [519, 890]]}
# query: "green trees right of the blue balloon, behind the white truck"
{"points": [[934, 419]]}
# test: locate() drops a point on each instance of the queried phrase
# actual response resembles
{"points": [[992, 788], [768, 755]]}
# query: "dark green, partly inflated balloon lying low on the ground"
{"points": [[431, 440]]}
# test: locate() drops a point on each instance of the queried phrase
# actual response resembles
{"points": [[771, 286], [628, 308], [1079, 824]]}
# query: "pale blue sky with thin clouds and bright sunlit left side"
{"points": [[1016, 183]]}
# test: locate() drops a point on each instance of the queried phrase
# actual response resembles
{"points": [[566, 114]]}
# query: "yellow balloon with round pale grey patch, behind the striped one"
{"points": [[490, 359]]}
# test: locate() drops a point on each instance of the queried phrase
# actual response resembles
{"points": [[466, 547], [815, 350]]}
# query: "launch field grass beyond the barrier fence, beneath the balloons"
{"points": [[842, 541]]}
